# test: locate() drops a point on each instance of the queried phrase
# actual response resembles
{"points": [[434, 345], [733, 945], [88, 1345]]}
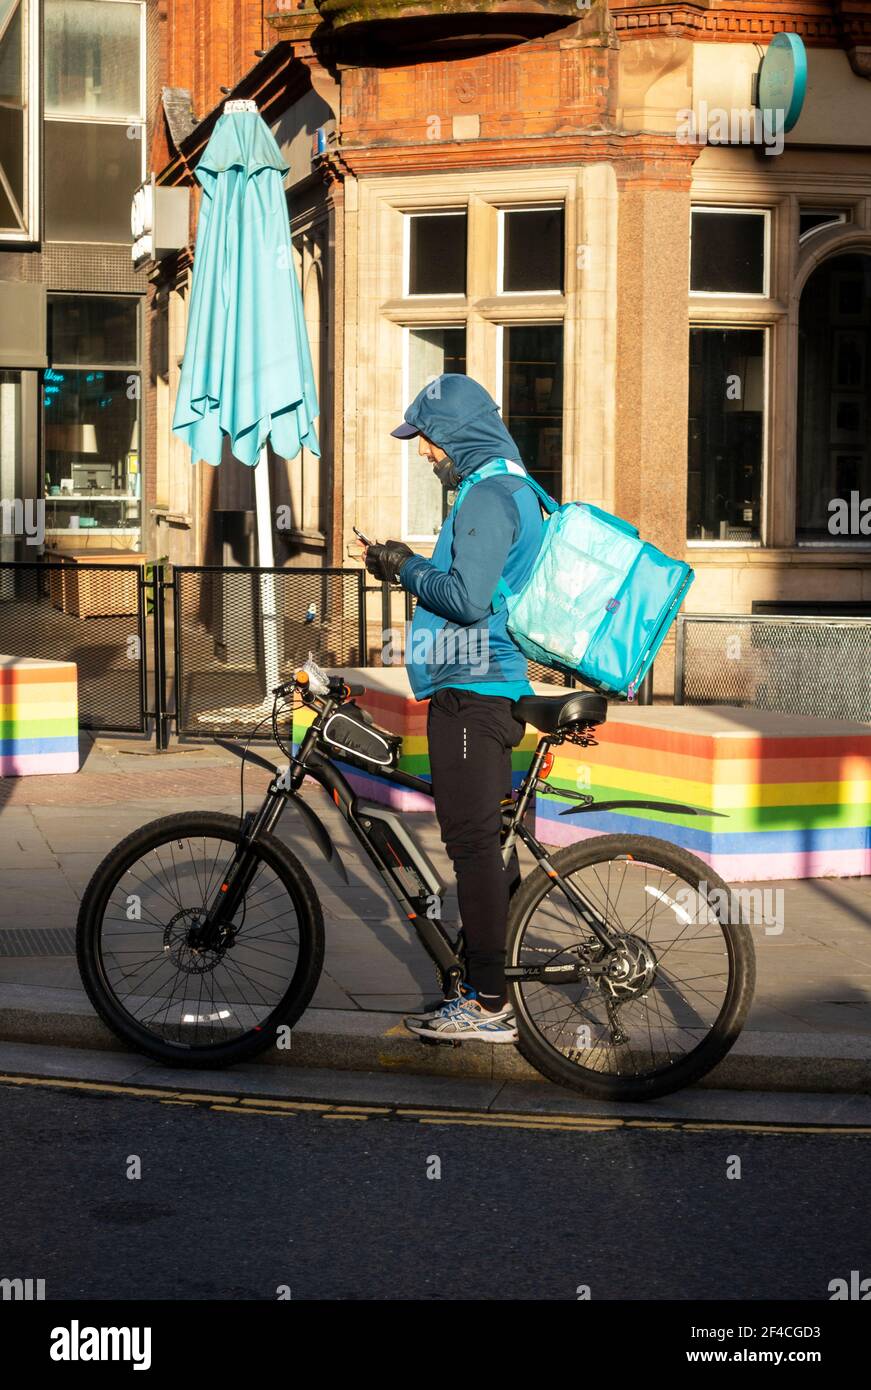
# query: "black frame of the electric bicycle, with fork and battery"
{"points": [[399, 860]]}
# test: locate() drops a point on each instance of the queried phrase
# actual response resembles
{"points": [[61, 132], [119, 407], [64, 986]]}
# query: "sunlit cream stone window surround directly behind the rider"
{"points": [[374, 372]]}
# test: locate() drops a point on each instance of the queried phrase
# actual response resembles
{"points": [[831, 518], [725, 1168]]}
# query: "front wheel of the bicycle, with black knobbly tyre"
{"points": [[190, 1007]]}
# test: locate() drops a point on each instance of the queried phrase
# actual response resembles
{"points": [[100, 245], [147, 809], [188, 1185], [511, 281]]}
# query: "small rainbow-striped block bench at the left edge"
{"points": [[40, 717]]}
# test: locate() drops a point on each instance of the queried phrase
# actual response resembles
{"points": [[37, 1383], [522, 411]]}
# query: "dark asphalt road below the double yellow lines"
{"points": [[235, 1203]]}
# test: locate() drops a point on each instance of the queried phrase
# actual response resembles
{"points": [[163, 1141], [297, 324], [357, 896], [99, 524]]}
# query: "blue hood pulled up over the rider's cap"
{"points": [[463, 419]]}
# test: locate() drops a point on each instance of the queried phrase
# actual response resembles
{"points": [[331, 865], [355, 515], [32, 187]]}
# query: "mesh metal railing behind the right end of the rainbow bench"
{"points": [[818, 667]]}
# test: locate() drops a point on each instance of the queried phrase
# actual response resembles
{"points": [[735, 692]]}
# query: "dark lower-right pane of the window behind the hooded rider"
{"points": [[533, 400]]}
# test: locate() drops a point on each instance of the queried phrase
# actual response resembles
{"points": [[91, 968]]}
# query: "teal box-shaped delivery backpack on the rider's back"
{"points": [[599, 601]]}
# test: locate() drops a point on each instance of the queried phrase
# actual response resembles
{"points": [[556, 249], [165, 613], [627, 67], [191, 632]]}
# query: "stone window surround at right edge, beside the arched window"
{"points": [[784, 194]]}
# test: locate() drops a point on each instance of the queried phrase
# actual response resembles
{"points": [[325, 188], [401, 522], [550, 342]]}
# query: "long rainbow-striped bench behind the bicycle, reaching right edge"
{"points": [[795, 792]]}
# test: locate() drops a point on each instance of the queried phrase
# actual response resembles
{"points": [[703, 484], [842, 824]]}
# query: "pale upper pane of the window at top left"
{"points": [[92, 59]]}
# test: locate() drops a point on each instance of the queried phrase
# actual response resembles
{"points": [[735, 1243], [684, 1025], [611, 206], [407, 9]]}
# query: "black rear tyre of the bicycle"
{"points": [[697, 1064]]}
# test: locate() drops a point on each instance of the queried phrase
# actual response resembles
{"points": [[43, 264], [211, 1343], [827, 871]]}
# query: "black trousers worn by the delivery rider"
{"points": [[470, 740]]}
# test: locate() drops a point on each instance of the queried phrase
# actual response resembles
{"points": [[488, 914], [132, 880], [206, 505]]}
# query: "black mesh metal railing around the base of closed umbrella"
{"points": [[195, 650]]}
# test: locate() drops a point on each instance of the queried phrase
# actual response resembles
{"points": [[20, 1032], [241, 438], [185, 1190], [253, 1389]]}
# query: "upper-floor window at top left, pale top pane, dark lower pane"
{"points": [[94, 127]]}
